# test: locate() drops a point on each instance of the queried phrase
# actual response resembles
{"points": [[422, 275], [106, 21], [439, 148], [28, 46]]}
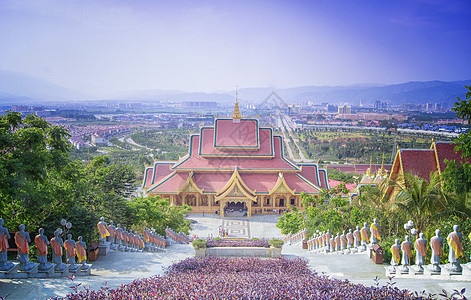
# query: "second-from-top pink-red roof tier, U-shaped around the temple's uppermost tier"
{"points": [[207, 146]]}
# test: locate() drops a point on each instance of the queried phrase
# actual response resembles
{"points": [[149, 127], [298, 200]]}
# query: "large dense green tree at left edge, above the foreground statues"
{"points": [[33, 169]]}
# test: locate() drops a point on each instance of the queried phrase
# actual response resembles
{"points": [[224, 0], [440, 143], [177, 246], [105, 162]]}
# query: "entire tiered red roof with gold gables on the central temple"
{"points": [[235, 150]]}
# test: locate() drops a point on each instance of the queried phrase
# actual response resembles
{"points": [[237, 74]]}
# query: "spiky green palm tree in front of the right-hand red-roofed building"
{"points": [[419, 199]]}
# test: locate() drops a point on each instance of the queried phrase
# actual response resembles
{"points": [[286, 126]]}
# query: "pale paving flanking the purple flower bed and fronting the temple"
{"points": [[123, 267]]}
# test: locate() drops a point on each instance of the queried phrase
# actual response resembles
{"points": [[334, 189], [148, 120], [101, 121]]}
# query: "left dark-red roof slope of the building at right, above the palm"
{"points": [[418, 162]]}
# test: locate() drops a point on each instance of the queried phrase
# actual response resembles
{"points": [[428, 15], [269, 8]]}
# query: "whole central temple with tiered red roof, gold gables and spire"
{"points": [[234, 165]]}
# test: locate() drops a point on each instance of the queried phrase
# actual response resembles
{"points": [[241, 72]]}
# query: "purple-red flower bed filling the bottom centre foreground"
{"points": [[244, 278]]}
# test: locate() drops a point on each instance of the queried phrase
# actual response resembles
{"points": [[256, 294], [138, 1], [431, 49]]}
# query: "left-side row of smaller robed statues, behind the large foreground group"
{"points": [[117, 237]]}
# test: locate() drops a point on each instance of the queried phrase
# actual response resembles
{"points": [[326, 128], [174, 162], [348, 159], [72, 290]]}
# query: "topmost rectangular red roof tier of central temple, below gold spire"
{"points": [[230, 134]]}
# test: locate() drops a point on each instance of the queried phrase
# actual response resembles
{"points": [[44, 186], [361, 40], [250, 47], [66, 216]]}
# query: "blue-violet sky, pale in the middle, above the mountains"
{"points": [[111, 46]]}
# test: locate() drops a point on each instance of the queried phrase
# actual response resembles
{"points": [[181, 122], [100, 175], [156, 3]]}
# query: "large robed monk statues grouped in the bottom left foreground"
{"points": [[75, 251]]}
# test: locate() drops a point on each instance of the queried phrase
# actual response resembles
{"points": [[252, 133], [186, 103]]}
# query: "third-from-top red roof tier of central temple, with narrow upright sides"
{"points": [[196, 162]]}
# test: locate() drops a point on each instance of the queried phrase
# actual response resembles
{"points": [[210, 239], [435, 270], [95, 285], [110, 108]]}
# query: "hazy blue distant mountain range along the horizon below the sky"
{"points": [[17, 88]]}
